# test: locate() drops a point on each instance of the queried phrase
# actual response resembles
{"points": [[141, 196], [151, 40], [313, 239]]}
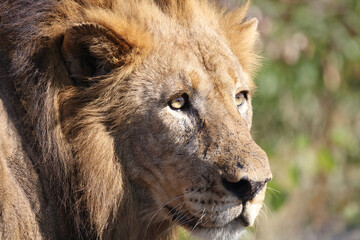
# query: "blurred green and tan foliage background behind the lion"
{"points": [[307, 118]]}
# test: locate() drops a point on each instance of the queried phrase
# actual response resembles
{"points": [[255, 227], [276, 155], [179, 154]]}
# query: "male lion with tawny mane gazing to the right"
{"points": [[124, 119]]}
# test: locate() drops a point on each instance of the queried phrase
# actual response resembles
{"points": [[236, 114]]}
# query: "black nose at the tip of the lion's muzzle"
{"points": [[244, 189]]}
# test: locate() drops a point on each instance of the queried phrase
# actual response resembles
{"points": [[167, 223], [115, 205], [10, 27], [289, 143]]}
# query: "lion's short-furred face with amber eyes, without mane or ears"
{"points": [[191, 146]]}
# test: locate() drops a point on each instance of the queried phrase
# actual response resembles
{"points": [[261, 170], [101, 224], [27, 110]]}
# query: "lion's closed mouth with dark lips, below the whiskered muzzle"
{"points": [[191, 222]]}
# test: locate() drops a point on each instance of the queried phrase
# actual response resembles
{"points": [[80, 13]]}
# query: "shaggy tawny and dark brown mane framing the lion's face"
{"points": [[62, 126]]}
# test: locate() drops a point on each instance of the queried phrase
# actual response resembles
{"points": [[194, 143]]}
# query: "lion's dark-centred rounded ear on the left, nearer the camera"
{"points": [[92, 50]]}
